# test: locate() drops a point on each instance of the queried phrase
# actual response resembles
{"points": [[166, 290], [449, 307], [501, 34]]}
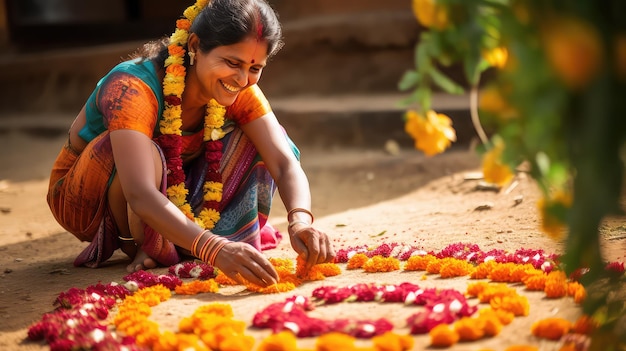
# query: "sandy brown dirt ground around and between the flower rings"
{"points": [[360, 197]]}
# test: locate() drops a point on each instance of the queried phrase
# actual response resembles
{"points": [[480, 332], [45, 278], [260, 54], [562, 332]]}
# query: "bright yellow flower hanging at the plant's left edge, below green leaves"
{"points": [[433, 134]]}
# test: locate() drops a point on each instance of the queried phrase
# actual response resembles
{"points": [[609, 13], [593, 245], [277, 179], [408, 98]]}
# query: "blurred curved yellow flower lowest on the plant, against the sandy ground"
{"points": [[551, 224]]}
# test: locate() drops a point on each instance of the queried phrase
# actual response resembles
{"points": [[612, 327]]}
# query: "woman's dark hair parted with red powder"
{"points": [[227, 22]]}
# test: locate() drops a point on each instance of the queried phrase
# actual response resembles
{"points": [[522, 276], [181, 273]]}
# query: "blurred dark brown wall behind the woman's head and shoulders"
{"points": [[54, 51]]}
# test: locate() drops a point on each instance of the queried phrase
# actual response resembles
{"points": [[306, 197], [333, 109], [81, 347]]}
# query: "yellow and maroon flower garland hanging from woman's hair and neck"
{"points": [[170, 125]]}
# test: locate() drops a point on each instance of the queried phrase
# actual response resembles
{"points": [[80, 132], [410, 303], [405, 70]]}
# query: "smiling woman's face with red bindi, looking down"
{"points": [[226, 70]]}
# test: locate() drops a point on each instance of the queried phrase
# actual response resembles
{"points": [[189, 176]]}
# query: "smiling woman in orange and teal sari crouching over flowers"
{"points": [[178, 152]]}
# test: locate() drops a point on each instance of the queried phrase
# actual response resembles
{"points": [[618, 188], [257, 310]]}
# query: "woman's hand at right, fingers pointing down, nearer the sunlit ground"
{"points": [[313, 245]]}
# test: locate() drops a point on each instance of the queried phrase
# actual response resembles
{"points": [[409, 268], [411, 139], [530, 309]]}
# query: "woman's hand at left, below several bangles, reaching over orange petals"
{"points": [[242, 259]]}
